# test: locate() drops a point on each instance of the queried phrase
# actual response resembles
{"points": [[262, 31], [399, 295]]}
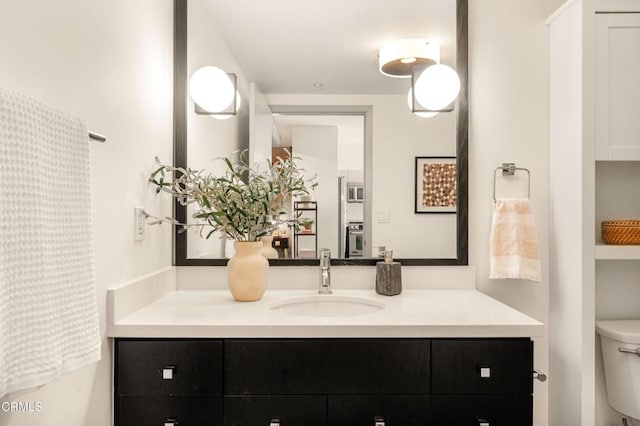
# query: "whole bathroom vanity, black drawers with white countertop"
{"points": [[427, 357]]}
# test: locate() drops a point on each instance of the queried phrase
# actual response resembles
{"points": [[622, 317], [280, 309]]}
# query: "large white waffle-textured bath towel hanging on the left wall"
{"points": [[48, 311]]}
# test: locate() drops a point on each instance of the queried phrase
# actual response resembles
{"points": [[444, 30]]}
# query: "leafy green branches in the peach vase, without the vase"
{"points": [[244, 204]]}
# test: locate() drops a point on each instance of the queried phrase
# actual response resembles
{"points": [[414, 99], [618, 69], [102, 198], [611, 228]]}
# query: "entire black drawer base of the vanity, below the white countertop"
{"points": [[337, 382]]}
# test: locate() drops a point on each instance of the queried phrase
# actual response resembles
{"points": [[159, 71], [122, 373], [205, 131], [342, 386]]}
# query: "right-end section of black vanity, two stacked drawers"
{"points": [[481, 382]]}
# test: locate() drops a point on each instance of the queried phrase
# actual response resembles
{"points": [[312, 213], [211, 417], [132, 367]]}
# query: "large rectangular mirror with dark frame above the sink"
{"points": [[308, 82]]}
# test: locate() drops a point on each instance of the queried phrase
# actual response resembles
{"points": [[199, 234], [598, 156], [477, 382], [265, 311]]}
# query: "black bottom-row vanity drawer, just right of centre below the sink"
{"points": [[394, 410]]}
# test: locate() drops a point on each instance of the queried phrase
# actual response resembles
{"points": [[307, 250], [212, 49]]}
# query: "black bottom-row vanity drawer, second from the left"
{"points": [[260, 410]]}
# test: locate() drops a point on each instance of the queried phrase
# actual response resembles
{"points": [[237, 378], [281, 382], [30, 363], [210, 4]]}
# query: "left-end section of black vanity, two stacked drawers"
{"points": [[168, 382]]}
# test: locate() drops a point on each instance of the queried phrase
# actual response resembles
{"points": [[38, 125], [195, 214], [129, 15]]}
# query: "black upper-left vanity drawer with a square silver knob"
{"points": [[170, 367]]}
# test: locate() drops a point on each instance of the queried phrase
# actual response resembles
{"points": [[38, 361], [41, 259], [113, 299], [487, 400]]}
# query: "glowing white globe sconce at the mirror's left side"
{"points": [[214, 92]]}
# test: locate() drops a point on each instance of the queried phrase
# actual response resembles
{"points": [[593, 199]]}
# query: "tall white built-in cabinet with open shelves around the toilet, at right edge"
{"points": [[594, 152]]}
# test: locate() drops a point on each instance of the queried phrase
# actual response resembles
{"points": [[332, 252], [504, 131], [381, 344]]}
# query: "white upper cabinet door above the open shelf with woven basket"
{"points": [[618, 86]]}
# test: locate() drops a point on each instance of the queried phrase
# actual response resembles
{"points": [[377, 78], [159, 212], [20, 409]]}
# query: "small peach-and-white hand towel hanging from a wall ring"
{"points": [[514, 241]]}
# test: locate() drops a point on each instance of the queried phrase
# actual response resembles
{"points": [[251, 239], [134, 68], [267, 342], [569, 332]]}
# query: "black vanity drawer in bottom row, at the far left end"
{"points": [[169, 410]]}
